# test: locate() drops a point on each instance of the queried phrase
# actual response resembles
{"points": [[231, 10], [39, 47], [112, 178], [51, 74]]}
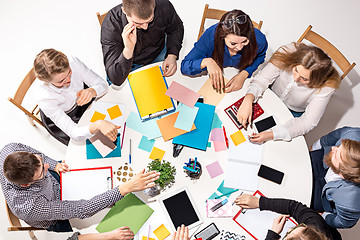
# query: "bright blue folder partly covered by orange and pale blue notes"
{"points": [[199, 137]]}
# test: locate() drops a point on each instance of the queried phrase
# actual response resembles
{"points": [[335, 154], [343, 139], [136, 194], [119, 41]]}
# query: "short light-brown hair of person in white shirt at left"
{"points": [[49, 62]]}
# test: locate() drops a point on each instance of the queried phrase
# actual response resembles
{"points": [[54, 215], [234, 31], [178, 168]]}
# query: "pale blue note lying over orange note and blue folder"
{"points": [[186, 117]]}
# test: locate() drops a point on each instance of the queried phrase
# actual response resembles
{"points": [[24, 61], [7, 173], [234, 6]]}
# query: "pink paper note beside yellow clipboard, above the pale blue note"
{"points": [[182, 94]]}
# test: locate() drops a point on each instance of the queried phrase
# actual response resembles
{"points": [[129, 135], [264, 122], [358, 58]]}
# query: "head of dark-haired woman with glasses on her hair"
{"points": [[236, 31]]}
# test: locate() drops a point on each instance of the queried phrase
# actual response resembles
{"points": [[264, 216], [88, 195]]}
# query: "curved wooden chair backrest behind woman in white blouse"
{"points": [[330, 49]]}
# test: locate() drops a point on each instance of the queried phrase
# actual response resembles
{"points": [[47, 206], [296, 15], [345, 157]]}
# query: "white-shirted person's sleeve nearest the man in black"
{"points": [[90, 78]]}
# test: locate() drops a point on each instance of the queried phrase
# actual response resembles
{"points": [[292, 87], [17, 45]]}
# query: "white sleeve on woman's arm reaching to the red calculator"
{"points": [[263, 79]]}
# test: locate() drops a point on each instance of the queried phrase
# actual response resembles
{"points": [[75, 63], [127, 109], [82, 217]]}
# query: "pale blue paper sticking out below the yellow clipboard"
{"points": [[148, 128]]}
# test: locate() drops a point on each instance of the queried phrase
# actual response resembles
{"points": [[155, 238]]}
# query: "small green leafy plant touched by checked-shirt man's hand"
{"points": [[167, 171]]}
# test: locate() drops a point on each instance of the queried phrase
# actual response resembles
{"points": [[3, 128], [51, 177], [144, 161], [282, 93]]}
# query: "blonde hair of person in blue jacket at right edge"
{"points": [[350, 165]]}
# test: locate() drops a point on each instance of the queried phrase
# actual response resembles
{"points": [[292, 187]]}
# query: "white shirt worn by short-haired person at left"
{"points": [[56, 102]]}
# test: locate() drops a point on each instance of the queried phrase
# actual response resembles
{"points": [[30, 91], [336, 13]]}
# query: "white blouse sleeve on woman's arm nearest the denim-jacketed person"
{"points": [[311, 117]]}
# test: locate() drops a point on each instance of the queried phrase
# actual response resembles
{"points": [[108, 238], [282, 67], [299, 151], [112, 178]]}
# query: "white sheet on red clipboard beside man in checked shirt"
{"points": [[85, 184]]}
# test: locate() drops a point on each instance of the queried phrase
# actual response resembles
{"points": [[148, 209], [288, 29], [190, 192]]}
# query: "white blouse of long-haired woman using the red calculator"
{"points": [[296, 96]]}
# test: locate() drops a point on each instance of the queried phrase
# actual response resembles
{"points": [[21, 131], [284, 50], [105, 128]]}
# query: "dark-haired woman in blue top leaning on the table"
{"points": [[233, 42]]}
